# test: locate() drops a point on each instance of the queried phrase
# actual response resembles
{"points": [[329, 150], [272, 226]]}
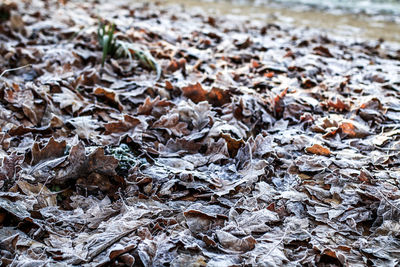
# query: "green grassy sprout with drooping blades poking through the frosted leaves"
{"points": [[118, 49]]}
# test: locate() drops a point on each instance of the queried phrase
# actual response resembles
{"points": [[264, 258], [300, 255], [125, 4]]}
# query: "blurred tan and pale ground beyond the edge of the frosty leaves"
{"points": [[364, 19]]}
